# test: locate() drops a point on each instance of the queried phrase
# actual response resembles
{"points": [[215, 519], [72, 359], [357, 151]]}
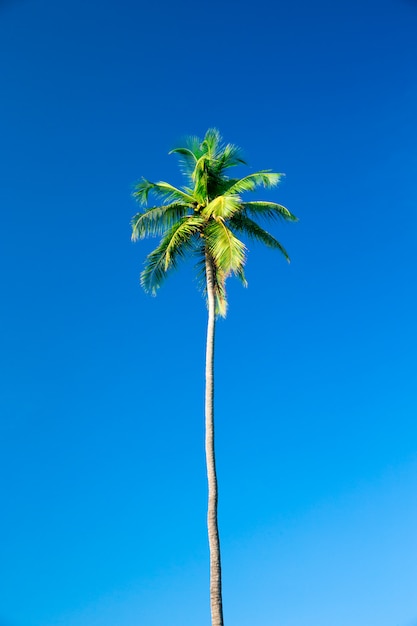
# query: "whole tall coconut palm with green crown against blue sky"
{"points": [[203, 219]]}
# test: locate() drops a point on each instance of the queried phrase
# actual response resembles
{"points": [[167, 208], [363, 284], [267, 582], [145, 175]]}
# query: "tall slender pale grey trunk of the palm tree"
{"points": [[212, 525]]}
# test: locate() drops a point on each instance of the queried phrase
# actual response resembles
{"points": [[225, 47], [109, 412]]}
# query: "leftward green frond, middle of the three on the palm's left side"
{"points": [[156, 220]]}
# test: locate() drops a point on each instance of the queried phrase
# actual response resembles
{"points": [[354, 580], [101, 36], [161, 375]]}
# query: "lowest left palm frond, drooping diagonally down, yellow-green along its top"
{"points": [[175, 245]]}
